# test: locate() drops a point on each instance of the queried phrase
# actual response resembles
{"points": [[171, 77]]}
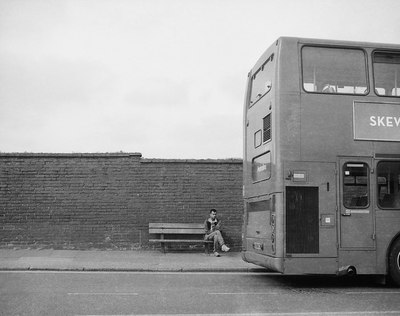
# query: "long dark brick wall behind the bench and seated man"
{"points": [[105, 201]]}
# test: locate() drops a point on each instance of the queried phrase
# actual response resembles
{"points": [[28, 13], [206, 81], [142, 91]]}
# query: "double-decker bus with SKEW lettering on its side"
{"points": [[322, 158]]}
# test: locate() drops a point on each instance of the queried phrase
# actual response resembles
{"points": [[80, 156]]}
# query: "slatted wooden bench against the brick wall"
{"points": [[176, 233]]}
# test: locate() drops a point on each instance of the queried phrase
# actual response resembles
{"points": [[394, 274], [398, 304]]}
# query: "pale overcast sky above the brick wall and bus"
{"points": [[165, 78]]}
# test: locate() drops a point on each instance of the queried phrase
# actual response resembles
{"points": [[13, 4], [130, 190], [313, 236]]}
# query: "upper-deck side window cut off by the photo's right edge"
{"points": [[387, 73]]}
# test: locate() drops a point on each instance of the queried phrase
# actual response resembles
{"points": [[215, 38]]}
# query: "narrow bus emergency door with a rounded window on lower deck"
{"points": [[356, 211]]}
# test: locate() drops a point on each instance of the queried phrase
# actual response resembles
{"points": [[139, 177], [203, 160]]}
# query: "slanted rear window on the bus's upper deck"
{"points": [[261, 81]]}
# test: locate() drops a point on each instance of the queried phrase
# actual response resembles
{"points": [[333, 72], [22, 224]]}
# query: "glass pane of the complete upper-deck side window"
{"points": [[334, 70]]}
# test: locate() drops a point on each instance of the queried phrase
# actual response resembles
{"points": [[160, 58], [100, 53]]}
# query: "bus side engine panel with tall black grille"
{"points": [[311, 216]]}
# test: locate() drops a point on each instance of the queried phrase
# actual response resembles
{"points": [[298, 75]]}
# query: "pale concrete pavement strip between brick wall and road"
{"points": [[115, 260]]}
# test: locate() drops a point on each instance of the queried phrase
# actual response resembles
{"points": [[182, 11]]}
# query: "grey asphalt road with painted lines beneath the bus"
{"points": [[125, 293]]}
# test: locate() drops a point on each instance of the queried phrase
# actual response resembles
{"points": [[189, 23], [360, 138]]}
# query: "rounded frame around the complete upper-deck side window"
{"points": [[366, 64]]}
